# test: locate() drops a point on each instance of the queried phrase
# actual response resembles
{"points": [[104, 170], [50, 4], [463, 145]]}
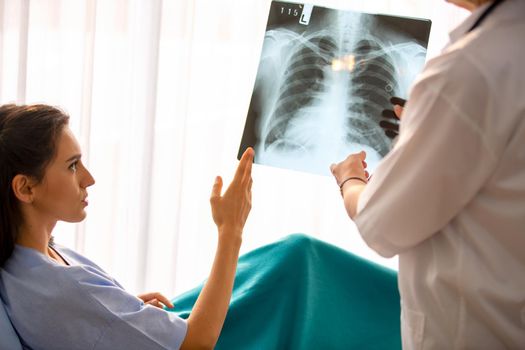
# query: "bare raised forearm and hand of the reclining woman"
{"points": [[230, 211]]}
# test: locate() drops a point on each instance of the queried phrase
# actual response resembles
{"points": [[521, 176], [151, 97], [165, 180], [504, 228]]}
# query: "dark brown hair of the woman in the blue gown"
{"points": [[28, 139]]}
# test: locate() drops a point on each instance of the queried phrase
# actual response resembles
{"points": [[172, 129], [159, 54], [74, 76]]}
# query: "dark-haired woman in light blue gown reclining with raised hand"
{"points": [[58, 299]]}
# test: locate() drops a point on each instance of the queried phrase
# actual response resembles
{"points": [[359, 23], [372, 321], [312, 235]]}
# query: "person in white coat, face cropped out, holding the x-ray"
{"points": [[449, 199]]}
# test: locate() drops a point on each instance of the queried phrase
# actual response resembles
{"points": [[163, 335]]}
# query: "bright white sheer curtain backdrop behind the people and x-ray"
{"points": [[158, 93]]}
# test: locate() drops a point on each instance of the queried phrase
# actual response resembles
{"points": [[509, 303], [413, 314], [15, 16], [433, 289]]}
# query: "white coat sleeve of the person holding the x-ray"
{"points": [[440, 162]]}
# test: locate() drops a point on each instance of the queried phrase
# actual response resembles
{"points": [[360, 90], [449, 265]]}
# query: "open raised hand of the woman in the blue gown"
{"points": [[230, 210]]}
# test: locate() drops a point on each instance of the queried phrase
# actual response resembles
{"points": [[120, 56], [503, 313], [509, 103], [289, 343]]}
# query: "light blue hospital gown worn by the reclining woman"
{"points": [[80, 306]]}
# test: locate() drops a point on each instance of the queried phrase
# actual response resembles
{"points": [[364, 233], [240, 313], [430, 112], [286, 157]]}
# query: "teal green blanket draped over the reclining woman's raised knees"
{"points": [[302, 293]]}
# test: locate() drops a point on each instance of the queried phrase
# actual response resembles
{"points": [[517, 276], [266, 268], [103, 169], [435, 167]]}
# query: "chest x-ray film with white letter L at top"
{"points": [[324, 78]]}
